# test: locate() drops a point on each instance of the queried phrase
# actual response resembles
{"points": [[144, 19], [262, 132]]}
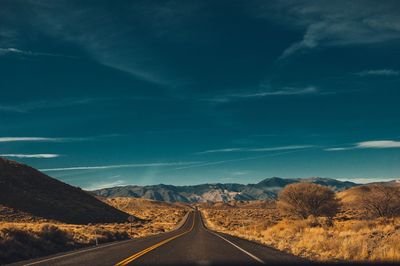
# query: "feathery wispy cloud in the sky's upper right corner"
{"points": [[334, 23]]}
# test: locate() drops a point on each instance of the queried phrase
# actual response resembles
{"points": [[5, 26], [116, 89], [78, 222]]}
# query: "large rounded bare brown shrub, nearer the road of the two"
{"points": [[301, 200]]}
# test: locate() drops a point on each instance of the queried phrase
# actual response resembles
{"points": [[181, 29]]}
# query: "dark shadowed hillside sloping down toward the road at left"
{"points": [[24, 189]]}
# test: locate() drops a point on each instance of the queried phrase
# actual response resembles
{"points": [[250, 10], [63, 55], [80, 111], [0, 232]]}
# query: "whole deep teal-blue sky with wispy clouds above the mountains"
{"points": [[104, 93]]}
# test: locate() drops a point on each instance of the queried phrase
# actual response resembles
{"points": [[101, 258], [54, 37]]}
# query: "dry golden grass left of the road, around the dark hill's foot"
{"points": [[23, 236]]}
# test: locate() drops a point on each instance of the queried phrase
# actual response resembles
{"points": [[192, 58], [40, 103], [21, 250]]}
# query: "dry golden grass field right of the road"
{"points": [[350, 237]]}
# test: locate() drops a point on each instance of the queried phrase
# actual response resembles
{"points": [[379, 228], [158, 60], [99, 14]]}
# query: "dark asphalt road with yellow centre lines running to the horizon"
{"points": [[191, 244]]}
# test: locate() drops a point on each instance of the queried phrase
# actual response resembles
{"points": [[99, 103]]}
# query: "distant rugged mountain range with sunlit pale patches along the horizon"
{"points": [[266, 189]]}
